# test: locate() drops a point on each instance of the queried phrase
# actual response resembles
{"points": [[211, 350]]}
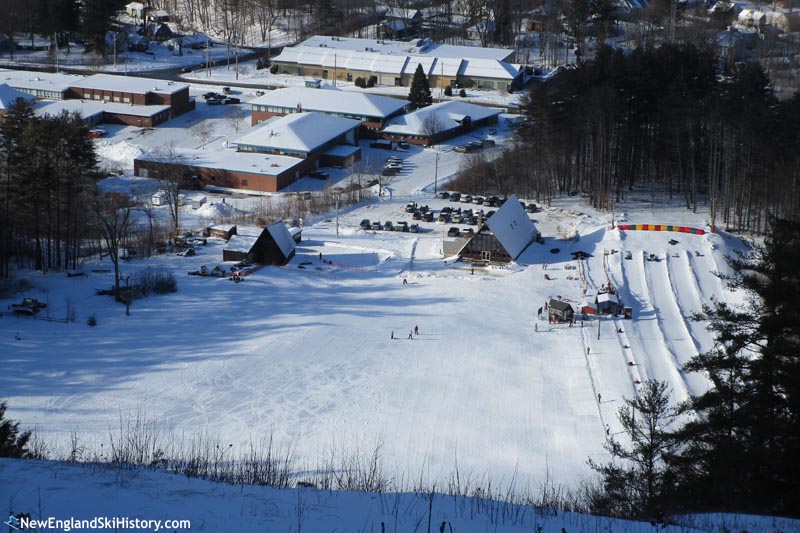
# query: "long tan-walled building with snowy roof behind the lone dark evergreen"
{"points": [[388, 62]]}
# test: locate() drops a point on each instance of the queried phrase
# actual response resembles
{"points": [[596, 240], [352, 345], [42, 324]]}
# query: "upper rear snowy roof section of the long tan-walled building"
{"points": [[416, 47]]}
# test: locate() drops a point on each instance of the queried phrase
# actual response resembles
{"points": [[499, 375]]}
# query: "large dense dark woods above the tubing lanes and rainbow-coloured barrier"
{"points": [[662, 119]]}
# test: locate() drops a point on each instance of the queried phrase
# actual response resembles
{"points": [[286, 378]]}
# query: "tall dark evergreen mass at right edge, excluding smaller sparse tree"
{"points": [[741, 453]]}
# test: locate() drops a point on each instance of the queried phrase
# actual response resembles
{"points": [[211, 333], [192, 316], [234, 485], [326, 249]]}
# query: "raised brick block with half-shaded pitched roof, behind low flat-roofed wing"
{"points": [[312, 137]]}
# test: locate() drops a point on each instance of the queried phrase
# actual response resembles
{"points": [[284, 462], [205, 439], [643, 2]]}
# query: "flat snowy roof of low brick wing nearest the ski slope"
{"points": [[230, 160]]}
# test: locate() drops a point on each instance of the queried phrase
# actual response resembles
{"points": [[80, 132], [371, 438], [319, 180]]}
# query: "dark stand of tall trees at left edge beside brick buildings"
{"points": [[46, 165]]}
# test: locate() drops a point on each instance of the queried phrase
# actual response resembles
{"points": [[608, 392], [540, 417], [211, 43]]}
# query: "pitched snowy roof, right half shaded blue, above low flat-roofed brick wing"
{"points": [[298, 132]]}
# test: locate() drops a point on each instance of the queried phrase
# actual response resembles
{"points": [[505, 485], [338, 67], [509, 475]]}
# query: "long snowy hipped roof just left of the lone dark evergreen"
{"points": [[332, 101]]}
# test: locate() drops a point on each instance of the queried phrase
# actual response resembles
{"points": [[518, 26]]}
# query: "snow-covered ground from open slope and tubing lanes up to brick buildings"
{"points": [[305, 352]]}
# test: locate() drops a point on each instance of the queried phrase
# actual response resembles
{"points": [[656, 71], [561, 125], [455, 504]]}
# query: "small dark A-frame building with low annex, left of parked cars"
{"points": [[271, 246]]}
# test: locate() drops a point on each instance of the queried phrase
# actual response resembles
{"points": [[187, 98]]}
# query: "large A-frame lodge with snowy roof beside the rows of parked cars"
{"points": [[504, 236]]}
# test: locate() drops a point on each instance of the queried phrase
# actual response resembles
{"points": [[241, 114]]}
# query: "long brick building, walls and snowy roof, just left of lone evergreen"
{"points": [[371, 110]]}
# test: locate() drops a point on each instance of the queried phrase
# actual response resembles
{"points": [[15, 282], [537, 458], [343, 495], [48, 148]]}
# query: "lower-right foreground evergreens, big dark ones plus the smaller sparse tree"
{"points": [[737, 448]]}
